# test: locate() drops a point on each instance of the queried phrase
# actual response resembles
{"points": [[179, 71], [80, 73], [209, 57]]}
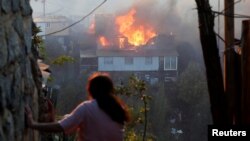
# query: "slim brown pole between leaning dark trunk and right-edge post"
{"points": [[230, 63]]}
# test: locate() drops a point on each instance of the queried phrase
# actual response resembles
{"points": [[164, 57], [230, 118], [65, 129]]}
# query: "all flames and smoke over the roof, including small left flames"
{"points": [[123, 31]]}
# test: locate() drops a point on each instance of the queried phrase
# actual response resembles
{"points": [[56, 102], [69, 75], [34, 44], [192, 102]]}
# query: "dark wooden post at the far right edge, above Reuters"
{"points": [[245, 72]]}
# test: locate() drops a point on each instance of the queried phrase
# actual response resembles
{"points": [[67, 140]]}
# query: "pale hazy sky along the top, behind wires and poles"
{"points": [[180, 16]]}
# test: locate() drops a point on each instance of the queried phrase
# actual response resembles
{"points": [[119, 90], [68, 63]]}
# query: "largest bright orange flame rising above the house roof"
{"points": [[137, 34]]}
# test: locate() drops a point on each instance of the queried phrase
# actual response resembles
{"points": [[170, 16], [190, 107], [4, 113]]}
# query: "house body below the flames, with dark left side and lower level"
{"points": [[149, 64]]}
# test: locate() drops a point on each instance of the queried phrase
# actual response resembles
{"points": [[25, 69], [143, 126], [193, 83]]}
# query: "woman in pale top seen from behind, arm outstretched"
{"points": [[101, 118]]}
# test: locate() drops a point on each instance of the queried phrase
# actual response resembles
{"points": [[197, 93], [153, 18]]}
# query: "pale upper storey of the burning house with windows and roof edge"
{"points": [[134, 60]]}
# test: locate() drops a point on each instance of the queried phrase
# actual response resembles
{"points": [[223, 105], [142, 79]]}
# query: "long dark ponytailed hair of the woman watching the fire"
{"points": [[101, 88]]}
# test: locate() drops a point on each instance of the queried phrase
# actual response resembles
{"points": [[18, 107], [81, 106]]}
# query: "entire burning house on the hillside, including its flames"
{"points": [[127, 46]]}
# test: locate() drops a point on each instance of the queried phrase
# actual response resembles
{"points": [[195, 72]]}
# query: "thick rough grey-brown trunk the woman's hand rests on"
{"points": [[20, 78]]}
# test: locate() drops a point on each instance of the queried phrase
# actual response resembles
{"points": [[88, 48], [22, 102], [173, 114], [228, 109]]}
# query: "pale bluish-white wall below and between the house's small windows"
{"points": [[120, 65]]}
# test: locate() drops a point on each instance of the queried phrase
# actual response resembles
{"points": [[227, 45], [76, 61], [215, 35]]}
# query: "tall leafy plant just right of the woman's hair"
{"points": [[136, 88]]}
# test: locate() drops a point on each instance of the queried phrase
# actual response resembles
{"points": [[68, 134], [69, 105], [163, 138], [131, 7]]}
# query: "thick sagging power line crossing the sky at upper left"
{"points": [[84, 17]]}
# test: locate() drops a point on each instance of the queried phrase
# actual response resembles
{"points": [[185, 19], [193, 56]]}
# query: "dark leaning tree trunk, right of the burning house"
{"points": [[212, 63]]}
